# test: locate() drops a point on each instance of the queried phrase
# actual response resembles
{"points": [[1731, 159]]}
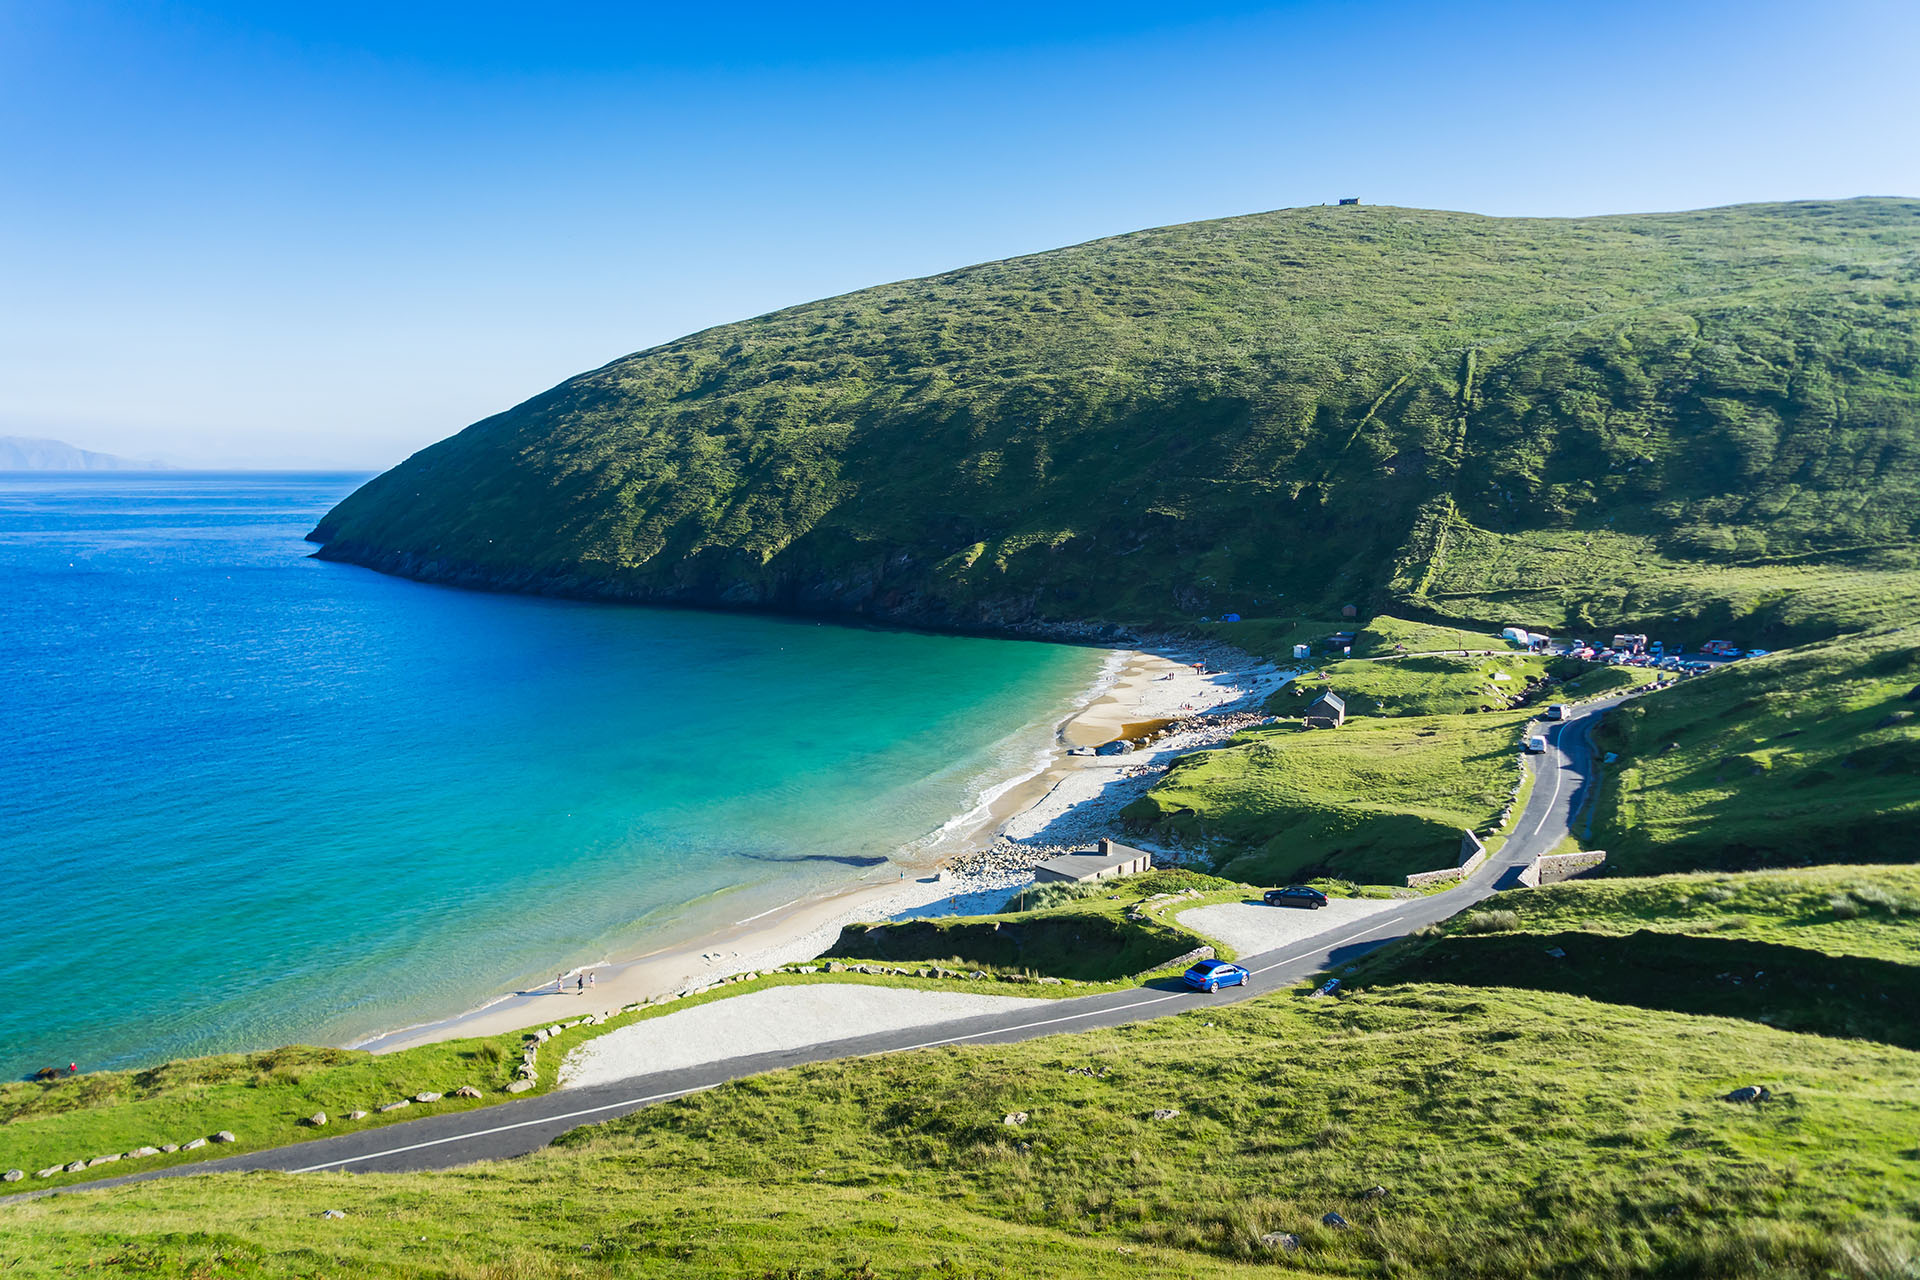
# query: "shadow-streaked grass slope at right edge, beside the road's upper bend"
{"points": [[1804, 757]]}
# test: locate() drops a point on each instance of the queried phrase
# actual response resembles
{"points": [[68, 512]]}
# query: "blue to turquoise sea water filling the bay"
{"points": [[249, 797]]}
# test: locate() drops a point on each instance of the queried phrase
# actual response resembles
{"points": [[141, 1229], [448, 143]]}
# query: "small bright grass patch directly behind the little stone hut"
{"points": [[1418, 686]]}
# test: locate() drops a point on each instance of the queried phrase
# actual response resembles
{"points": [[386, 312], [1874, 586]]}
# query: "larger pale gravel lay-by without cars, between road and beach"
{"points": [[763, 1022]]}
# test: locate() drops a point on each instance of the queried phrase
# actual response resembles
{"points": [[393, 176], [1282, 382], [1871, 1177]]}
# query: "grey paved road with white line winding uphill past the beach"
{"points": [[1564, 776]]}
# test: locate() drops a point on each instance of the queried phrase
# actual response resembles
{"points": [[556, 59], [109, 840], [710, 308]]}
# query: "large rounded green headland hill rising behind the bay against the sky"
{"points": [[1692, 421]]}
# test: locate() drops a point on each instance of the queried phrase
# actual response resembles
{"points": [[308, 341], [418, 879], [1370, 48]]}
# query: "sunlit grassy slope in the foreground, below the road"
{"points": [[1514, 1133]]}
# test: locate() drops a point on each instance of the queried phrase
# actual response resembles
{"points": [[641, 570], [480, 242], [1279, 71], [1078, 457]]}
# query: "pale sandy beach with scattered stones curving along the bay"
{"points": [[967, 866]]}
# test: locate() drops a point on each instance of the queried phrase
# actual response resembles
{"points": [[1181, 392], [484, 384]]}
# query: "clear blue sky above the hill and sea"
{"points": [[314, 235]]}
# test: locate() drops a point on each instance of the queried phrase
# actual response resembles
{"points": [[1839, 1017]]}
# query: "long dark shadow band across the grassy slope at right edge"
{"points": [[1785, 987]]}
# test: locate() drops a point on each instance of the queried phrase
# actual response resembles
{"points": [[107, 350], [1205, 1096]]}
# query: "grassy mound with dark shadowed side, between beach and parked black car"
{"points": [[1090, 934]]}
